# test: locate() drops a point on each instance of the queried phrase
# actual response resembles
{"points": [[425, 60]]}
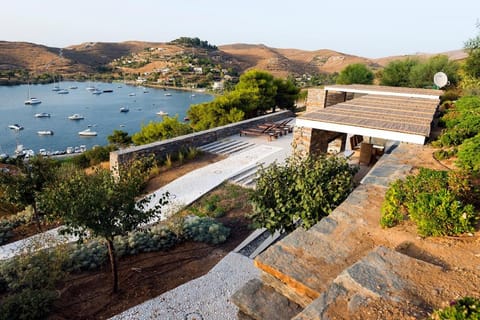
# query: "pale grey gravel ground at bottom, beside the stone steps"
{"points": [[205, 298]]}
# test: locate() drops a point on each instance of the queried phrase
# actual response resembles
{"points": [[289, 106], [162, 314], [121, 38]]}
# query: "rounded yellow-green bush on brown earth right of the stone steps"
{"points": [[437, 201]]}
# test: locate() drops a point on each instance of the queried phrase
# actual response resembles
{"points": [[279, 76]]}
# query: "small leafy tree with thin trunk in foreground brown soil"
{"points": [[103, 204]]}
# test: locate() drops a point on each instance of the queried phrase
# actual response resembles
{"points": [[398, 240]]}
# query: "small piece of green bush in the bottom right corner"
{"points": [[467, 308]]}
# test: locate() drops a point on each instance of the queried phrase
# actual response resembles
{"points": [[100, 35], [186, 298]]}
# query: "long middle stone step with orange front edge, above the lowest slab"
{"points": [[303, 264]]}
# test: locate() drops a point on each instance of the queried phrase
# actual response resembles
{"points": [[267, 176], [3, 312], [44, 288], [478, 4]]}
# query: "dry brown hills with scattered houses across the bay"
{"points": [[147, 57]]}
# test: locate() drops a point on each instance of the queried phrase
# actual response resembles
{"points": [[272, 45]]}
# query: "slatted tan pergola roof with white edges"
{"points": [[401, 114]]}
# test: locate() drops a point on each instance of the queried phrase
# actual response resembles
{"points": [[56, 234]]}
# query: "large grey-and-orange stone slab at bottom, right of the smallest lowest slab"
{"points": [[381, 284]]}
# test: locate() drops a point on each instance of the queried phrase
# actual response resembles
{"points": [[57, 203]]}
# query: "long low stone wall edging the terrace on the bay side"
{"points": [[172, 146]]}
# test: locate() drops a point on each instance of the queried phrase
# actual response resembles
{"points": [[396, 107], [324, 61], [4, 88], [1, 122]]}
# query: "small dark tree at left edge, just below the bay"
{"points": [[23, 187]]}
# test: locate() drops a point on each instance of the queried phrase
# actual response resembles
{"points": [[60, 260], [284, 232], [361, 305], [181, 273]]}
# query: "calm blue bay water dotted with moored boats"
{"points": [[101, 113]]}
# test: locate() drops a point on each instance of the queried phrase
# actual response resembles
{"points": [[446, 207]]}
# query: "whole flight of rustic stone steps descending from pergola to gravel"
{"points": [[345, 267]]}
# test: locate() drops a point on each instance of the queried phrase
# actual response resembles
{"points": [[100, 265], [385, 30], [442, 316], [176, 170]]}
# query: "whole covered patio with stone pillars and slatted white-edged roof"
{"points": [[348, 117]]}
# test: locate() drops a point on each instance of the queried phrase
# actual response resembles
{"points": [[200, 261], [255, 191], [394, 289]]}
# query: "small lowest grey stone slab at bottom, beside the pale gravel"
{"points": [[259, 301]]}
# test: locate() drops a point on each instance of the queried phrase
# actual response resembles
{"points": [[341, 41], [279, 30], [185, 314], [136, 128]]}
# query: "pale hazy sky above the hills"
{"points": [[368, 28]]}
